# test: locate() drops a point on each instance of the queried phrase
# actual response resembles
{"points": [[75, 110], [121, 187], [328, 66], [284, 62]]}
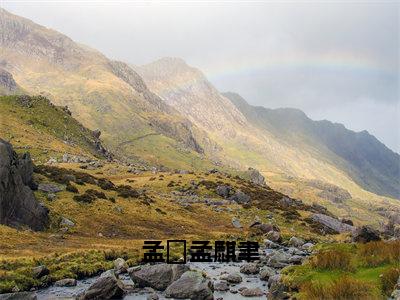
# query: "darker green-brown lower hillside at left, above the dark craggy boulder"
{"points": [[45, 130]]}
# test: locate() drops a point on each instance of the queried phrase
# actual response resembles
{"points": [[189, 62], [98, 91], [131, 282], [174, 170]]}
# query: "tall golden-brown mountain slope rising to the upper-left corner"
{"points": [[100, 93]]}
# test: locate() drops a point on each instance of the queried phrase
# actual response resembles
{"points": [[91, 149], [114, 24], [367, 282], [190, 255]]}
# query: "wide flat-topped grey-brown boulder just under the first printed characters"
{"points": [[158, 276]]}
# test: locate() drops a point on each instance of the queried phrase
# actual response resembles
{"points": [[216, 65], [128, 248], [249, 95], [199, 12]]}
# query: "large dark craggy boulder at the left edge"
{"points": [[18, 205]]}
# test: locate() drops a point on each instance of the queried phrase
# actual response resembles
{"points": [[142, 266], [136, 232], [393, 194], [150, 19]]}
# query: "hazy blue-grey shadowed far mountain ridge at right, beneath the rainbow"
{"points": [[369, 162]]}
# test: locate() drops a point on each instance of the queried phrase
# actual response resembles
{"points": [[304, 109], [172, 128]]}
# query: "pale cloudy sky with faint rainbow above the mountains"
{"points": [[334, 60]]}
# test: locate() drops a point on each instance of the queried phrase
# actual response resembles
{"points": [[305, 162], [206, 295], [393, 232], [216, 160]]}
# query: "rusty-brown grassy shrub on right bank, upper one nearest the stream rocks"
{"points": [[332, 259]]}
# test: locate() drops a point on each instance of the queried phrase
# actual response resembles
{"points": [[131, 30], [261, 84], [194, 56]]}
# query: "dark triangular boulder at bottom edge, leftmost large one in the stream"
{"points": [[107, 286]]}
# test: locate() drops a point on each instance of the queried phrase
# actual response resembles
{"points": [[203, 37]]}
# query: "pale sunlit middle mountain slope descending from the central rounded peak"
{"points": [[291, 163]]}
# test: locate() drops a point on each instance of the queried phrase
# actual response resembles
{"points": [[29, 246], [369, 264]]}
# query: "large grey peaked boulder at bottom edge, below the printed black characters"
{"points": [[191, 285]]}
